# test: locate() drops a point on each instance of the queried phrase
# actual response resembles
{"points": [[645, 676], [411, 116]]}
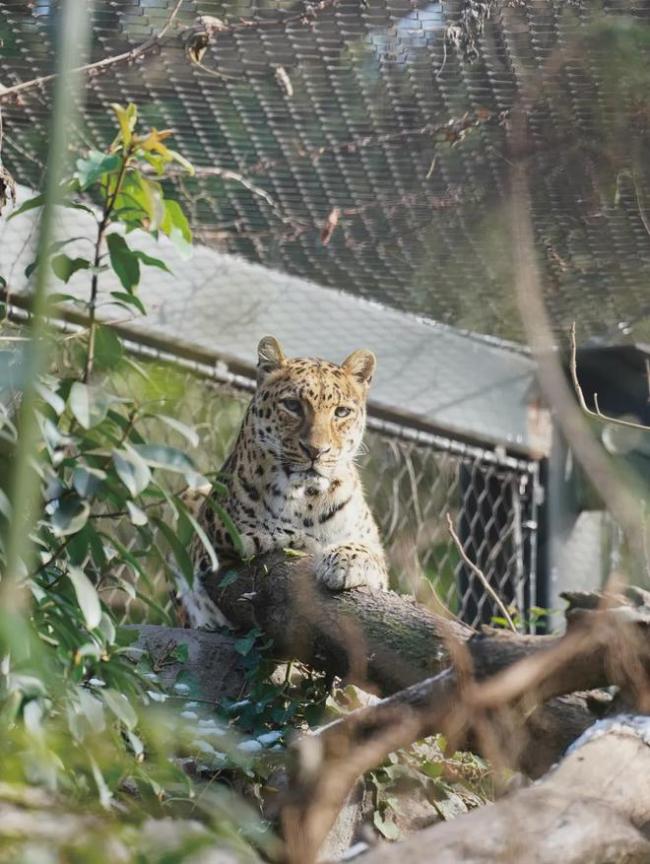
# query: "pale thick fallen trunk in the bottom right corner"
{"points": [[593, 809]]}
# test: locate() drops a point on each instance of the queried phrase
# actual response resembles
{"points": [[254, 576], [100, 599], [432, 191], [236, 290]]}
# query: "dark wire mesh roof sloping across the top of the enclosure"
{"points": [[389, 121]]}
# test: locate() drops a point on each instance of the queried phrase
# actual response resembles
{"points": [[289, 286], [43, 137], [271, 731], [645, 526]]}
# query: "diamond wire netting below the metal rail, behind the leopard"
{"points": [[412, 480]]}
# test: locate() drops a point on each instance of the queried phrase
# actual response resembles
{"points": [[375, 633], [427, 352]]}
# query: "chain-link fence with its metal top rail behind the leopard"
{"points": [[412, 478]]}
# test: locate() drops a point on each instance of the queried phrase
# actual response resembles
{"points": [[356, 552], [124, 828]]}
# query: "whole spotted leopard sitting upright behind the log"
{"points": [[291, 479]]}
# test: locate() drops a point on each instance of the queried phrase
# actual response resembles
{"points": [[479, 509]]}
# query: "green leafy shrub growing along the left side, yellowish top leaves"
{"points": [[78, 718]]}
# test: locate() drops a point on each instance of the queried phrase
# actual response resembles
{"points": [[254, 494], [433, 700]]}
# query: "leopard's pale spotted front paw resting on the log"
{"points": [[352, 565]]}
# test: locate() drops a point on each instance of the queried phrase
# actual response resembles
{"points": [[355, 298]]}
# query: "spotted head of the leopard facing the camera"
{"points": [[308, 414]]}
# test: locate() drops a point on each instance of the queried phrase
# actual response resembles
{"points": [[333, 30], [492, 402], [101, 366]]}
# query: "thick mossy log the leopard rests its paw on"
{"points": [[382, 641]]}
